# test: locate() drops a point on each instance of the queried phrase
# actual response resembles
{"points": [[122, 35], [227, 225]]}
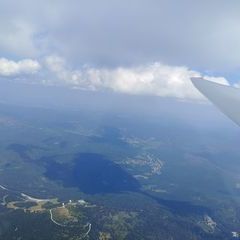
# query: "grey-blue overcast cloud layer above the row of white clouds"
{"points": [[200, 35]]}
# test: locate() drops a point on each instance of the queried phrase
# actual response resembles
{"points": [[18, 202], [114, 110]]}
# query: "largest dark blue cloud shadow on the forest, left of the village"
{"points": [[92, 174]]}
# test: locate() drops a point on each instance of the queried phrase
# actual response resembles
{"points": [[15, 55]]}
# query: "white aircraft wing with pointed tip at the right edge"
{"points": [[226, 98]]}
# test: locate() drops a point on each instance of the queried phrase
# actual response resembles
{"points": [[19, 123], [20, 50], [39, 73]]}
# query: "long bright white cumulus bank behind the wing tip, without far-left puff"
{"points": [[151, 79]]}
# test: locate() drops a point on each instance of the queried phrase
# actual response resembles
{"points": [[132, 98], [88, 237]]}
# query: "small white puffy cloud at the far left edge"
{"points": [[15, 68]]}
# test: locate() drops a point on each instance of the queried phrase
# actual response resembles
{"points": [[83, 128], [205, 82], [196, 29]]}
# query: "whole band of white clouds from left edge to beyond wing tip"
{"points": [[150, 79]]}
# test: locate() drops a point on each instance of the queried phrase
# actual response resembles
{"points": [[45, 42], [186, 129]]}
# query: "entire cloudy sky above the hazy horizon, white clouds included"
{"points": [[133, 47]]}
